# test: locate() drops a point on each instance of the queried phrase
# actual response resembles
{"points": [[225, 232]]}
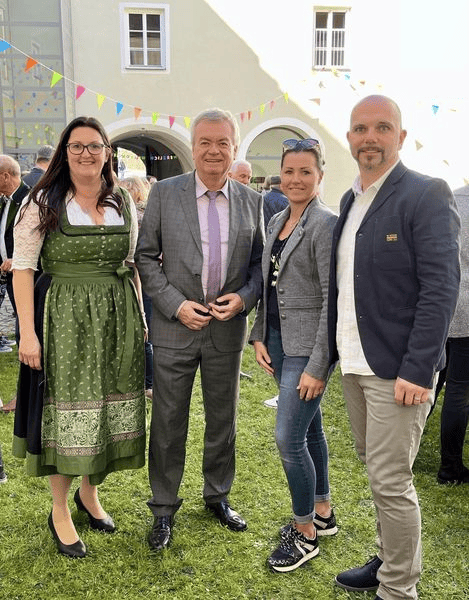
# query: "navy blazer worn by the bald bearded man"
{"points": [[406, 276]]}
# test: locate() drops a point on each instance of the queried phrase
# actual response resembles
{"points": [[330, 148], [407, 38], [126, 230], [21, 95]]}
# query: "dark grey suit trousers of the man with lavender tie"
{"points": [[174, 372]]}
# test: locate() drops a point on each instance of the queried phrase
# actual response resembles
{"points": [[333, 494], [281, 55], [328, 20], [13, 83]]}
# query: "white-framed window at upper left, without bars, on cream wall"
{"points": [[145, 35]]}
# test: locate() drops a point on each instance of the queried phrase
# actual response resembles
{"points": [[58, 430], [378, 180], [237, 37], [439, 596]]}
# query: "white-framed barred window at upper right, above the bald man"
{"points": [[329, 38]]}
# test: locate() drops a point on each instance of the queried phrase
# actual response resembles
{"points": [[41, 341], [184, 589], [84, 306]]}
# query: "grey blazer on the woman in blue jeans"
{"points": [[302, 286]]}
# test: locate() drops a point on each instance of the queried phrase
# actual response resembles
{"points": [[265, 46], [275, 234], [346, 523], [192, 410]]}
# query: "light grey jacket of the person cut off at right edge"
{"points": [[459, 326]]}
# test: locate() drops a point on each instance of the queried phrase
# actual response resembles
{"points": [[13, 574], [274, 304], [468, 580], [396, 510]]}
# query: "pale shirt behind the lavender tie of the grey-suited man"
{"points": [[223, 207]]}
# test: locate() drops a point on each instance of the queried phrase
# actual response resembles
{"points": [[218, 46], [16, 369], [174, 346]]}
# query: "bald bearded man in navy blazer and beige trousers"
{"points": [[393, 289]]}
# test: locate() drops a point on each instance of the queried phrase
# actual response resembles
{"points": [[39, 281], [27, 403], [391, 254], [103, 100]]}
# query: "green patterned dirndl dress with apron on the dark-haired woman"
{"points": [[84, 414]]}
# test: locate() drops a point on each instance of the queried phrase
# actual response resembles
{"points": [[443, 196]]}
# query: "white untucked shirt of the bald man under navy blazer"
{"points": [[351, 355]]}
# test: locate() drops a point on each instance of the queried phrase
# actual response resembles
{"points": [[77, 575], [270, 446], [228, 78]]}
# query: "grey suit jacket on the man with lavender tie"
{"points": [[170, 230]]}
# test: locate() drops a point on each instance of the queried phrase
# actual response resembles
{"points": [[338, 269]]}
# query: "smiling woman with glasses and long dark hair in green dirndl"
{"points": [[81, 403]]}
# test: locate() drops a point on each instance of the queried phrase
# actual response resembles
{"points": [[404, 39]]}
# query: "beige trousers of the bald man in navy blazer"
{"points": [[387, 437]]}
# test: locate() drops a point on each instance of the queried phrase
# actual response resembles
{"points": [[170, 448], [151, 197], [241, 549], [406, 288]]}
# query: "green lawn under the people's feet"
{"points": [[206, 560]]}
